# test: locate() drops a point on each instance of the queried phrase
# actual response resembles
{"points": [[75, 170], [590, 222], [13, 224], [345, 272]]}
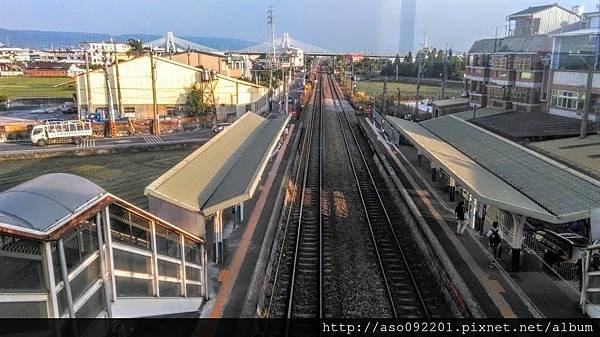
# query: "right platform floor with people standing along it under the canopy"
{"points": [[497, 293]]}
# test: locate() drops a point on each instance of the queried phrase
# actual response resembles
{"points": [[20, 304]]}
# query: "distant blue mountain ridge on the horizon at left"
{"points": [[38, 39]]}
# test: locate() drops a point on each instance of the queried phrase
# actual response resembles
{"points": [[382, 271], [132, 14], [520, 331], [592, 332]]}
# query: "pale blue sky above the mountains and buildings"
{"points": [[348, 25]]}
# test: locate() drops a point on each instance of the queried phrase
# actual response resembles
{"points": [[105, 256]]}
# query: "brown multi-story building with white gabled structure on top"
{"points": [[510, 72]]}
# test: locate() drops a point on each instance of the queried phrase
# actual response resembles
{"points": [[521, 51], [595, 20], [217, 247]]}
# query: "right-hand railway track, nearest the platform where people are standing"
{"points": [[403, 291]]}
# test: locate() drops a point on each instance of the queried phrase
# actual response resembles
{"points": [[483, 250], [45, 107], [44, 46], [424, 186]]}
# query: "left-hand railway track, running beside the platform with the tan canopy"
{"points": [[296, 290]]}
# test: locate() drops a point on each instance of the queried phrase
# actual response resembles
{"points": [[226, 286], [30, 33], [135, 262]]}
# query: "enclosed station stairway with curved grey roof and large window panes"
{"points": [[70, 249]]}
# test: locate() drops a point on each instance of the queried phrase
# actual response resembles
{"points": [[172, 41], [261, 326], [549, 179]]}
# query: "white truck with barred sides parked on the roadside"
{"points": [[61, 132]]}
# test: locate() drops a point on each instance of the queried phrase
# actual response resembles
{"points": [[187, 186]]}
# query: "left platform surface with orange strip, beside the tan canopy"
{"points": [[230, 282]]}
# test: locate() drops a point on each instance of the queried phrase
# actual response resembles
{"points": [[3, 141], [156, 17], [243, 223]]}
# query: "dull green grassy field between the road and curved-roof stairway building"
{"points": [[124, 175]]}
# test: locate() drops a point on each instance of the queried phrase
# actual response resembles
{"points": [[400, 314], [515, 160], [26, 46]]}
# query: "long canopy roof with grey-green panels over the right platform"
{"points": [[501, 173]]}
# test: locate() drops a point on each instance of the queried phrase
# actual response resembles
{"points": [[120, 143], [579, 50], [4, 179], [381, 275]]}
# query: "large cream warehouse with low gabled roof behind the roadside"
{"points": [[145, 82]]}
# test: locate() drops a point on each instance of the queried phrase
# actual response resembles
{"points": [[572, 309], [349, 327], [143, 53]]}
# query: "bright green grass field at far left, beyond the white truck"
{"points": [[35, 87]]}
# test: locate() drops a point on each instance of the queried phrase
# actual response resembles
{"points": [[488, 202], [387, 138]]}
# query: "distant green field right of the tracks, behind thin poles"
{"points": [[406, 89]]}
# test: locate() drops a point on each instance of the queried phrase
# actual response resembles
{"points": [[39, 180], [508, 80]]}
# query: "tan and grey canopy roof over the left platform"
{"points": [[225, 171]]}
